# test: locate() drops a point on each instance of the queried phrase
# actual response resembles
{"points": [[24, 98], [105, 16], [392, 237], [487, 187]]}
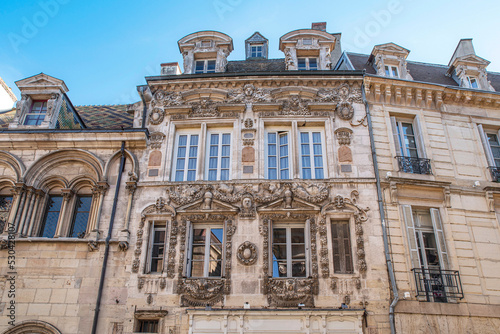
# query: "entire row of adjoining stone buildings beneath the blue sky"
{"points": [[242, 196]]}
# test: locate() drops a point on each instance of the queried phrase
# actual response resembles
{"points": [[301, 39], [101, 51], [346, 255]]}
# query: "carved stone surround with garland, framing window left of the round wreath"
{"points": [[203, 291]]}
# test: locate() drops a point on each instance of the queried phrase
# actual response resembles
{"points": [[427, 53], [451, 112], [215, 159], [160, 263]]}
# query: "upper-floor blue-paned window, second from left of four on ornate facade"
{"points": [[219, 156]]}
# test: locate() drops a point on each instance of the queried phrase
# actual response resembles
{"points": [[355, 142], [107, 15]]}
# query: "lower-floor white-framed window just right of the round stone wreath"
{"points": [[289, 252]]}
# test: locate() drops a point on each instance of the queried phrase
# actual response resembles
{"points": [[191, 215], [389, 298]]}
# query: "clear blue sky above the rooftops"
{"points": [[104, 49]]}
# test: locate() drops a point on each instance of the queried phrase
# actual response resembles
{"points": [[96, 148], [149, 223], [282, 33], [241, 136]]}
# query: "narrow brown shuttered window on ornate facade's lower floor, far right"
{"points": [[342, 252]]}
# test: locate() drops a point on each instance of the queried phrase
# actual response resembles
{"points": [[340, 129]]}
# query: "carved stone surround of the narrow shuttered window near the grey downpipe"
{"points": [[360, 216]]}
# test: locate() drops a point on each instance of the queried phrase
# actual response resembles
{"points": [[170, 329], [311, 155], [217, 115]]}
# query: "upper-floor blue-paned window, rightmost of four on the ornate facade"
{"points": [[311, 154]]}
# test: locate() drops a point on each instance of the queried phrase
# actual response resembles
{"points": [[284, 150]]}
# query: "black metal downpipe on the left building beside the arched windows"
{"points": [[108, 238]]}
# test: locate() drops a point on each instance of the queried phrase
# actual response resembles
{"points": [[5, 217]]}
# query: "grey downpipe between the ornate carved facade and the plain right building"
{"points": [[382, 217]]}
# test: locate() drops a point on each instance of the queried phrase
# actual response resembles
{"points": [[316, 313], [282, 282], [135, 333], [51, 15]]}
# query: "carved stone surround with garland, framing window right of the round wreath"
{"points": [[289, 292]]}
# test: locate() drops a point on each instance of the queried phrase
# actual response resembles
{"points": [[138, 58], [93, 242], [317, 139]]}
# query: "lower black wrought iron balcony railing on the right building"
{"points": [[438, 285]]}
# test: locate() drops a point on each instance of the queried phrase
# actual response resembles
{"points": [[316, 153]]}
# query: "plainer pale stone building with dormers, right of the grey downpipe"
{"points": [[436, 138]]}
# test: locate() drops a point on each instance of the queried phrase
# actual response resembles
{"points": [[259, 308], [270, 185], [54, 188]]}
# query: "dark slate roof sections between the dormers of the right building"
{"points": [[423, 72]]}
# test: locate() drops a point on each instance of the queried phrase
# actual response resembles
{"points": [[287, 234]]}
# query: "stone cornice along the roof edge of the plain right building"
{"points": [[417, 94]]}
